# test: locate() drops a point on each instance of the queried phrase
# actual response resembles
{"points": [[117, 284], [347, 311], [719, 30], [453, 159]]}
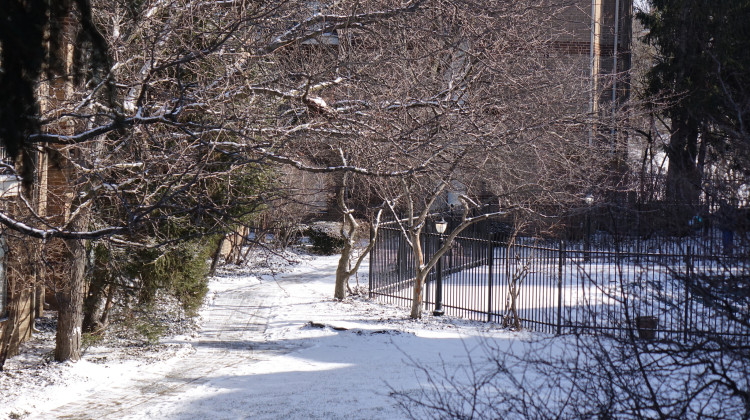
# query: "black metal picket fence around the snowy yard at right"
{"points": [[663, 286]]}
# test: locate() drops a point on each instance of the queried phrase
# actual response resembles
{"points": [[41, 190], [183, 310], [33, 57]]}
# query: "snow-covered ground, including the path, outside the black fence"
{"points": [[272, 345]]}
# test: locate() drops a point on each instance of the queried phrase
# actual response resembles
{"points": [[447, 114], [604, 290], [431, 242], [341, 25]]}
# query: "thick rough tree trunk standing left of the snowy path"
{"points": [[70, 300]]}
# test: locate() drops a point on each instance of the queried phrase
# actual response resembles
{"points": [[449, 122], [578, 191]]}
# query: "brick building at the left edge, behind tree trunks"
{"points": [[23, 279]]}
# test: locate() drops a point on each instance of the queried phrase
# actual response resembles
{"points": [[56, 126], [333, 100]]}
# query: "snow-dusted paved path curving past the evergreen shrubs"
{"points": [[232, 335]]}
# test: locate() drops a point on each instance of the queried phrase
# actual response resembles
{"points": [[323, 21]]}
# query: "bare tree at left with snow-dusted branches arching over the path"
{"points": [[174, 137]]}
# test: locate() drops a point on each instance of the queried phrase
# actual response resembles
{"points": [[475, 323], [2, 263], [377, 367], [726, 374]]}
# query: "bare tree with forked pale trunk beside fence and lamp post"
{"points": [[510, 137]]}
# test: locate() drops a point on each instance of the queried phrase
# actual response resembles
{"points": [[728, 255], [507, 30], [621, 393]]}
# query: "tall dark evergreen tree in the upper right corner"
{"points": [[703, 66]]}
